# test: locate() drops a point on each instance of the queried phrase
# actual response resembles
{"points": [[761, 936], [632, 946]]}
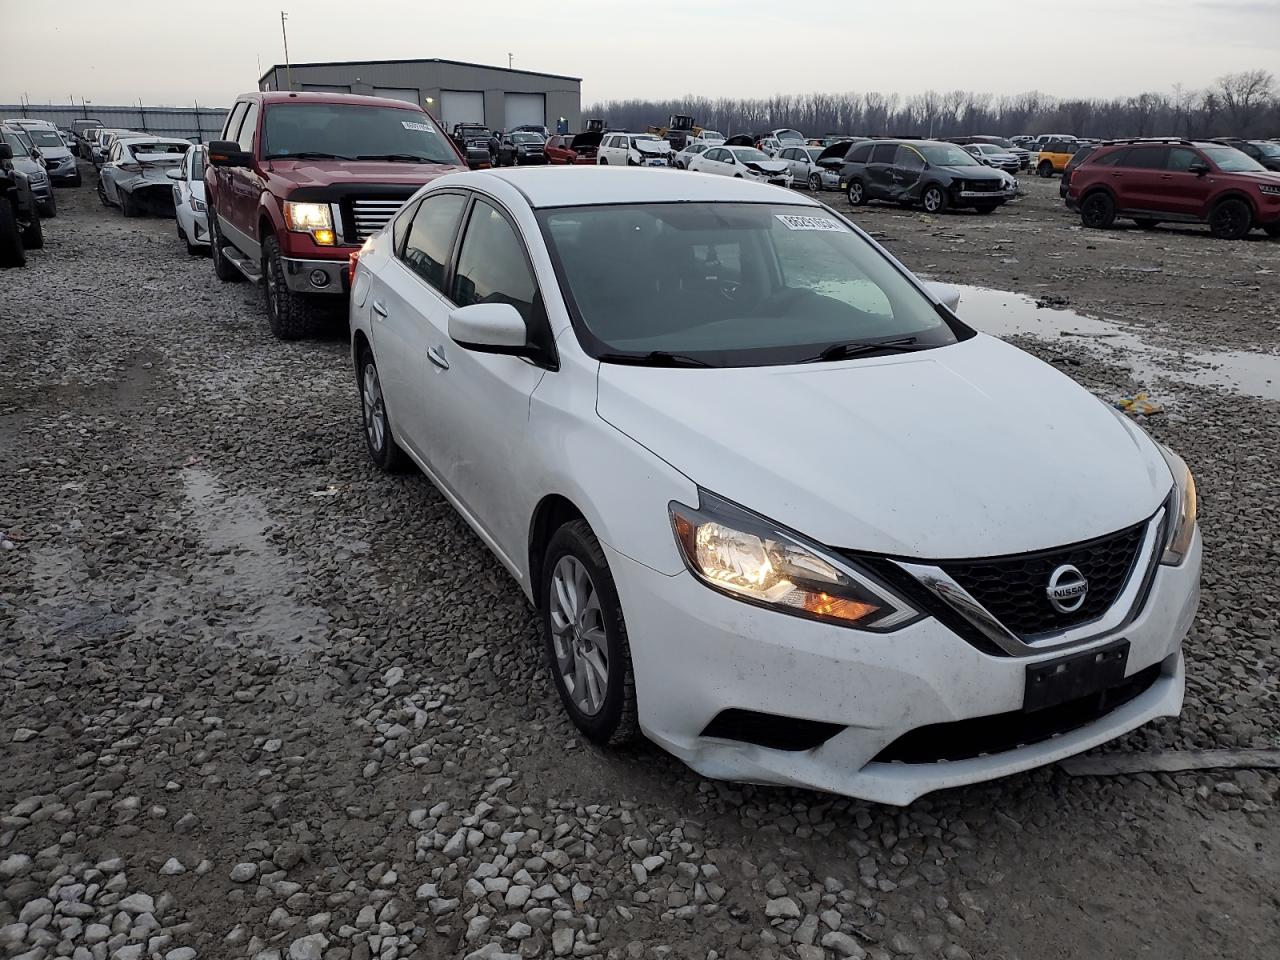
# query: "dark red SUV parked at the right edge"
{"points": [[1178, 181]]}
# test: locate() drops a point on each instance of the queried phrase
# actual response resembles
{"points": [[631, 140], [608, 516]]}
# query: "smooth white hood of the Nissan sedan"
{"points": [[976, 450]]}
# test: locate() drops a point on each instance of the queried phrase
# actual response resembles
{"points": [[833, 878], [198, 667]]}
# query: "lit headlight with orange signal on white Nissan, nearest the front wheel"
{"points": [[755, 560]]}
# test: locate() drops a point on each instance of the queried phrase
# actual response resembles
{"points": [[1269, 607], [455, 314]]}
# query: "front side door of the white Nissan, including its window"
{"points": [[482, 400]]}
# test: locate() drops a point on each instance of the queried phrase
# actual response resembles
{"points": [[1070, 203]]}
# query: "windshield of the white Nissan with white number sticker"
{"points": [[730, 285]]}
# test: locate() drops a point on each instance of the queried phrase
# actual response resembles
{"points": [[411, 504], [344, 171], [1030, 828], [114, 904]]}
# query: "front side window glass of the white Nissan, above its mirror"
{"points": [[492, 267]]}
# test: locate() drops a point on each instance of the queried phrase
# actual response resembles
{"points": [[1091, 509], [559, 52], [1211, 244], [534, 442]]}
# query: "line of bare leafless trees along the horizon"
{"points": [[1245, 104]]}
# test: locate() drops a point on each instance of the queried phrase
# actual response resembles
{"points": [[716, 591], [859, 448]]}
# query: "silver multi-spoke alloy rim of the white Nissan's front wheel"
{"points": [[578, 636]]}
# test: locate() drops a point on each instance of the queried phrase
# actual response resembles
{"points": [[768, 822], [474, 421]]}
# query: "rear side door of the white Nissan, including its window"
{"points": [[410, 305]]}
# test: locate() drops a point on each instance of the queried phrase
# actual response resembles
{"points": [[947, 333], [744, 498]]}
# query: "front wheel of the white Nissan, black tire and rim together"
{"points": [[586, 637]]}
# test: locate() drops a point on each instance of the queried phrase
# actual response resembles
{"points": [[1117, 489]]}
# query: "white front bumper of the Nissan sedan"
{"points": [[698, 653]]}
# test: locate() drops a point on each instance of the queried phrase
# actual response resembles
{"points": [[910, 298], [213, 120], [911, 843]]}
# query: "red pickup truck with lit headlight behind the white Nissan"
{"points": [[299, 181]]}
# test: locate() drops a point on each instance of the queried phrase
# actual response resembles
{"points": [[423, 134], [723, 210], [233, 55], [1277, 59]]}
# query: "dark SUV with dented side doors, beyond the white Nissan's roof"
{"points": [[934, 175]]}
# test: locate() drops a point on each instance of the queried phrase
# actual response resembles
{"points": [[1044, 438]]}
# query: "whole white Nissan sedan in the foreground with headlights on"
{"points": [[778, 508]]}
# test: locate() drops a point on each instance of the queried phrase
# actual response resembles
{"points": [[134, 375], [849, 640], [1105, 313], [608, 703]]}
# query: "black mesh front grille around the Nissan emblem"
{"points": [[1013, 588]]}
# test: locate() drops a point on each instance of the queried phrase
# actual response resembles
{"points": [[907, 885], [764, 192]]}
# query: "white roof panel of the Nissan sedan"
{"points": [[593, 186]]}
